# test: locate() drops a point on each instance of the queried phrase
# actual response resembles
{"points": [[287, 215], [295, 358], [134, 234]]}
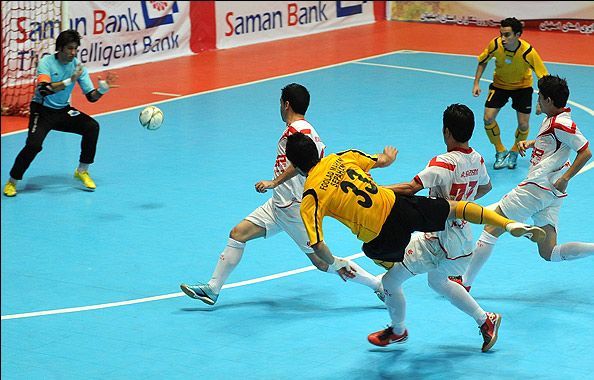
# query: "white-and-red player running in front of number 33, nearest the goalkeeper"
{"points": [[279, 213]]}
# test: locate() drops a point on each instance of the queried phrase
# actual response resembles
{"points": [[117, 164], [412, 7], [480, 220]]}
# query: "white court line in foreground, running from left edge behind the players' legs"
{"points": [[164, 296]]}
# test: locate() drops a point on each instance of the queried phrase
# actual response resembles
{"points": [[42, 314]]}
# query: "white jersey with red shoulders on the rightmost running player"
{"points": [[557, 138]]}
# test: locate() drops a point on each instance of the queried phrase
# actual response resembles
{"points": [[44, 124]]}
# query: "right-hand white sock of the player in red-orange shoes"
{"points": [[458, 296]]}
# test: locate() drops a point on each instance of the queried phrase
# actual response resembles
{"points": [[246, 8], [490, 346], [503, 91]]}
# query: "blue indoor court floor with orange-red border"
{"points": [[90, 281]]}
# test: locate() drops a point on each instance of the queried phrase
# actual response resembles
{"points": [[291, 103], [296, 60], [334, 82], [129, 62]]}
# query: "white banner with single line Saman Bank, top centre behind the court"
{"points": [[247, 22]]}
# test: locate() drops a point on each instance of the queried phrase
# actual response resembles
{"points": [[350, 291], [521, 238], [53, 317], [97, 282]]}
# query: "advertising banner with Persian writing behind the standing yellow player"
{"points": [[567, 16]]}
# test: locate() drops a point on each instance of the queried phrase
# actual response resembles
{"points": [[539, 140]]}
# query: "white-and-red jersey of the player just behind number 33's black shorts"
{"points": [[455, 175]]}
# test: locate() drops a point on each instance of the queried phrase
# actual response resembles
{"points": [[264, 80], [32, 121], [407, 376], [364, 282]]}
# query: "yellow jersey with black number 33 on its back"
{"points": [[340, 186]]}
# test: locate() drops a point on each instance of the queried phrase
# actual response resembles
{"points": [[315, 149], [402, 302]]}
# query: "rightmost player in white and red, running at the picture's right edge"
{"points": [[541, 194]]}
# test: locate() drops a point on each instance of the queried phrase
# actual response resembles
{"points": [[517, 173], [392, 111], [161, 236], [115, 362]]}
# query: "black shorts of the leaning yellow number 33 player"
{"points": [[409, 214]]}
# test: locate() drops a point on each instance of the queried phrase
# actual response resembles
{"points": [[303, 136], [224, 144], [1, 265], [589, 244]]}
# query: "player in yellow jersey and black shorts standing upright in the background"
{"points": [[515, 59]]}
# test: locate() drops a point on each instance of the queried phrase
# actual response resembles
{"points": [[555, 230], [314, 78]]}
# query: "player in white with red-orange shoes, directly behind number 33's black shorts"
{"points": [[458, 175]]}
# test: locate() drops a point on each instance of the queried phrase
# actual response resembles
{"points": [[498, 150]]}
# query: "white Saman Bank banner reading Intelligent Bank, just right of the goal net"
{"points": [[123, 33]]}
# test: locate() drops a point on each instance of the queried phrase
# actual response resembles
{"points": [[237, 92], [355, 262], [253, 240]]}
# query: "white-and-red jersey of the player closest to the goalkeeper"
{"points": [[291, 191]]}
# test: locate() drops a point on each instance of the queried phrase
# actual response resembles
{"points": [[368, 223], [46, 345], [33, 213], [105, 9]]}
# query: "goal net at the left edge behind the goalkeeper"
{"points": [[29, 31]]}
